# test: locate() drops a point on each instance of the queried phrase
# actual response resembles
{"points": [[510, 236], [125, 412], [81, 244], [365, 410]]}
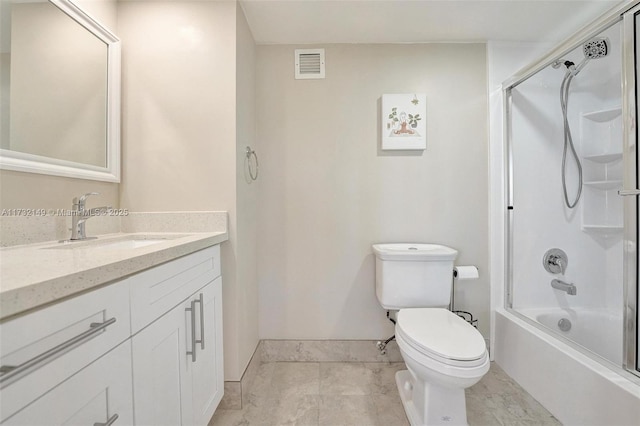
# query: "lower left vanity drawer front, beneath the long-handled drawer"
{"points": [[96, 394]]}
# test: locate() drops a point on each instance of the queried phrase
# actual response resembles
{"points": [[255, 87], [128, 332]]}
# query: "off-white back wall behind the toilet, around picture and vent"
{"points": [[327, 191]]}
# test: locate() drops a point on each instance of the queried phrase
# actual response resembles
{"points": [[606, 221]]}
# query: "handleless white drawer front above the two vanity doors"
{"points": [[156, 291]]}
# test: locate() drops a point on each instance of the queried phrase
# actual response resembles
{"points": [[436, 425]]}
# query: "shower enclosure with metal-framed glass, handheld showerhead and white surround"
{"points": [[572, 198]]}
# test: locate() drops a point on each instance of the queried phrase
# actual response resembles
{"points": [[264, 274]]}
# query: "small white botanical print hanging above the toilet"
{"points": [[404, 123]]}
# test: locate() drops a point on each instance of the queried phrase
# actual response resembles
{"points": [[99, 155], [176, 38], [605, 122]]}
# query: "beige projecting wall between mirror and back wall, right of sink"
{"points": [[187, 112]]}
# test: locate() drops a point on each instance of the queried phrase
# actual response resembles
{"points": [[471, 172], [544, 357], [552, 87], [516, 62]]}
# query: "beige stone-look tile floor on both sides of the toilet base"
{"points": [[359, 394]]}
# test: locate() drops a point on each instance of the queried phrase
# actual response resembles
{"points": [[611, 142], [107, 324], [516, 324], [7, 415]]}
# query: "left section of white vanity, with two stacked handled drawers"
{"points": [[50, 359]]}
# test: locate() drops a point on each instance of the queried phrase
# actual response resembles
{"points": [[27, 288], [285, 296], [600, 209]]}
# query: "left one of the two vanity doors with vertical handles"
{"points": [[160, 366]]}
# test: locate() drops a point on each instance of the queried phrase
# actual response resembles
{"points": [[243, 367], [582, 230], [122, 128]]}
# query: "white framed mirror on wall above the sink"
{"points": [[60, 79]]}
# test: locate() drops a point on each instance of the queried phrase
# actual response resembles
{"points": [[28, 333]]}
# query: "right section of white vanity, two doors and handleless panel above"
{"points": [[177, 354]]}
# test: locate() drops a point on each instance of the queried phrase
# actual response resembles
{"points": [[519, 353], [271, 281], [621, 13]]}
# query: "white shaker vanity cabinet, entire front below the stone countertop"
{"points": [[146, 350]]}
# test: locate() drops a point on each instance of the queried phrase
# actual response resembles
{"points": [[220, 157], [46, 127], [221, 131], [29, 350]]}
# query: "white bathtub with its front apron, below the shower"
{"points": [[576, 388]]}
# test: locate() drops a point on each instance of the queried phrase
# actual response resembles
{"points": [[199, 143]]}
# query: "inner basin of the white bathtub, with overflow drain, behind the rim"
{"points": [[600, 331]]}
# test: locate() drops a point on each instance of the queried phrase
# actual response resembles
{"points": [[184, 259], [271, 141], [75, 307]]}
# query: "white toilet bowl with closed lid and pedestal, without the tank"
{"points": [[444, 355]]}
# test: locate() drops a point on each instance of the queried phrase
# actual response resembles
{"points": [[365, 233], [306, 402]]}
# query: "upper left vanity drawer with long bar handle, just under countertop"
{"points": [[42, 349]]}
